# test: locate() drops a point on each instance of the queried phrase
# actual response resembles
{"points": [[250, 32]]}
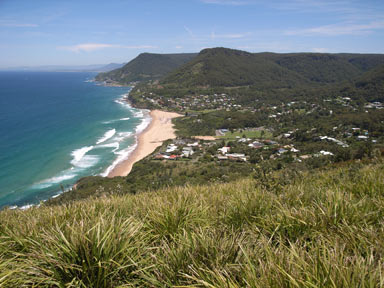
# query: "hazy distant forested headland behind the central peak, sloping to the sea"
{"points": [[146, 66]]}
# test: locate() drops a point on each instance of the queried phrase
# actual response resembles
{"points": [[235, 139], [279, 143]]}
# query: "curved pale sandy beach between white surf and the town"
{"points": [[159, 130]]}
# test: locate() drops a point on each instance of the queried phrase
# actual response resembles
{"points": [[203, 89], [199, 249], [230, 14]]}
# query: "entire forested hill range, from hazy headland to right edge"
{"points": [[223, 67]]}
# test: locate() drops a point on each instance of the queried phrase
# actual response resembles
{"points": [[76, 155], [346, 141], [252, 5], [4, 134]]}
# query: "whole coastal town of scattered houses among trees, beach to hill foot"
{"points": [[281, 139]]}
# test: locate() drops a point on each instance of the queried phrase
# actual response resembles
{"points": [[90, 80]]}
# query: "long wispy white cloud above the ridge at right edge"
{"points": [[339, 29]]}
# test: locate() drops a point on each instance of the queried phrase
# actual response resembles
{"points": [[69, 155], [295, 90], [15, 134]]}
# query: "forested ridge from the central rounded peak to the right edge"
{"points": [[227, 67]]}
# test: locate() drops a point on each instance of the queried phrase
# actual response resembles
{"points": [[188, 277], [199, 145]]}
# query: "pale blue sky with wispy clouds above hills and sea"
{"points": [[83, 32]]}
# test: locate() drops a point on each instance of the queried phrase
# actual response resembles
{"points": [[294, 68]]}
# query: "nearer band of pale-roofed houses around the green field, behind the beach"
{"points": [[254, 150]]}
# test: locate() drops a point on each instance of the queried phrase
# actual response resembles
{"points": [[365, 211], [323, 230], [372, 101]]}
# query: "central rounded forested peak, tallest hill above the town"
{"points": [[227, 67]]}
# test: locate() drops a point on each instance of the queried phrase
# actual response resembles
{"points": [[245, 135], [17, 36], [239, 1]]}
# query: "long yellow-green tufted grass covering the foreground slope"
{"points": [[323, 229]]}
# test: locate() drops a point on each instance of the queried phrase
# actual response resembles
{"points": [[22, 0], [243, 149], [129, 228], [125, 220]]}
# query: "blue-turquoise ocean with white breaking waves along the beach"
{"points": [[58, 127]]}
